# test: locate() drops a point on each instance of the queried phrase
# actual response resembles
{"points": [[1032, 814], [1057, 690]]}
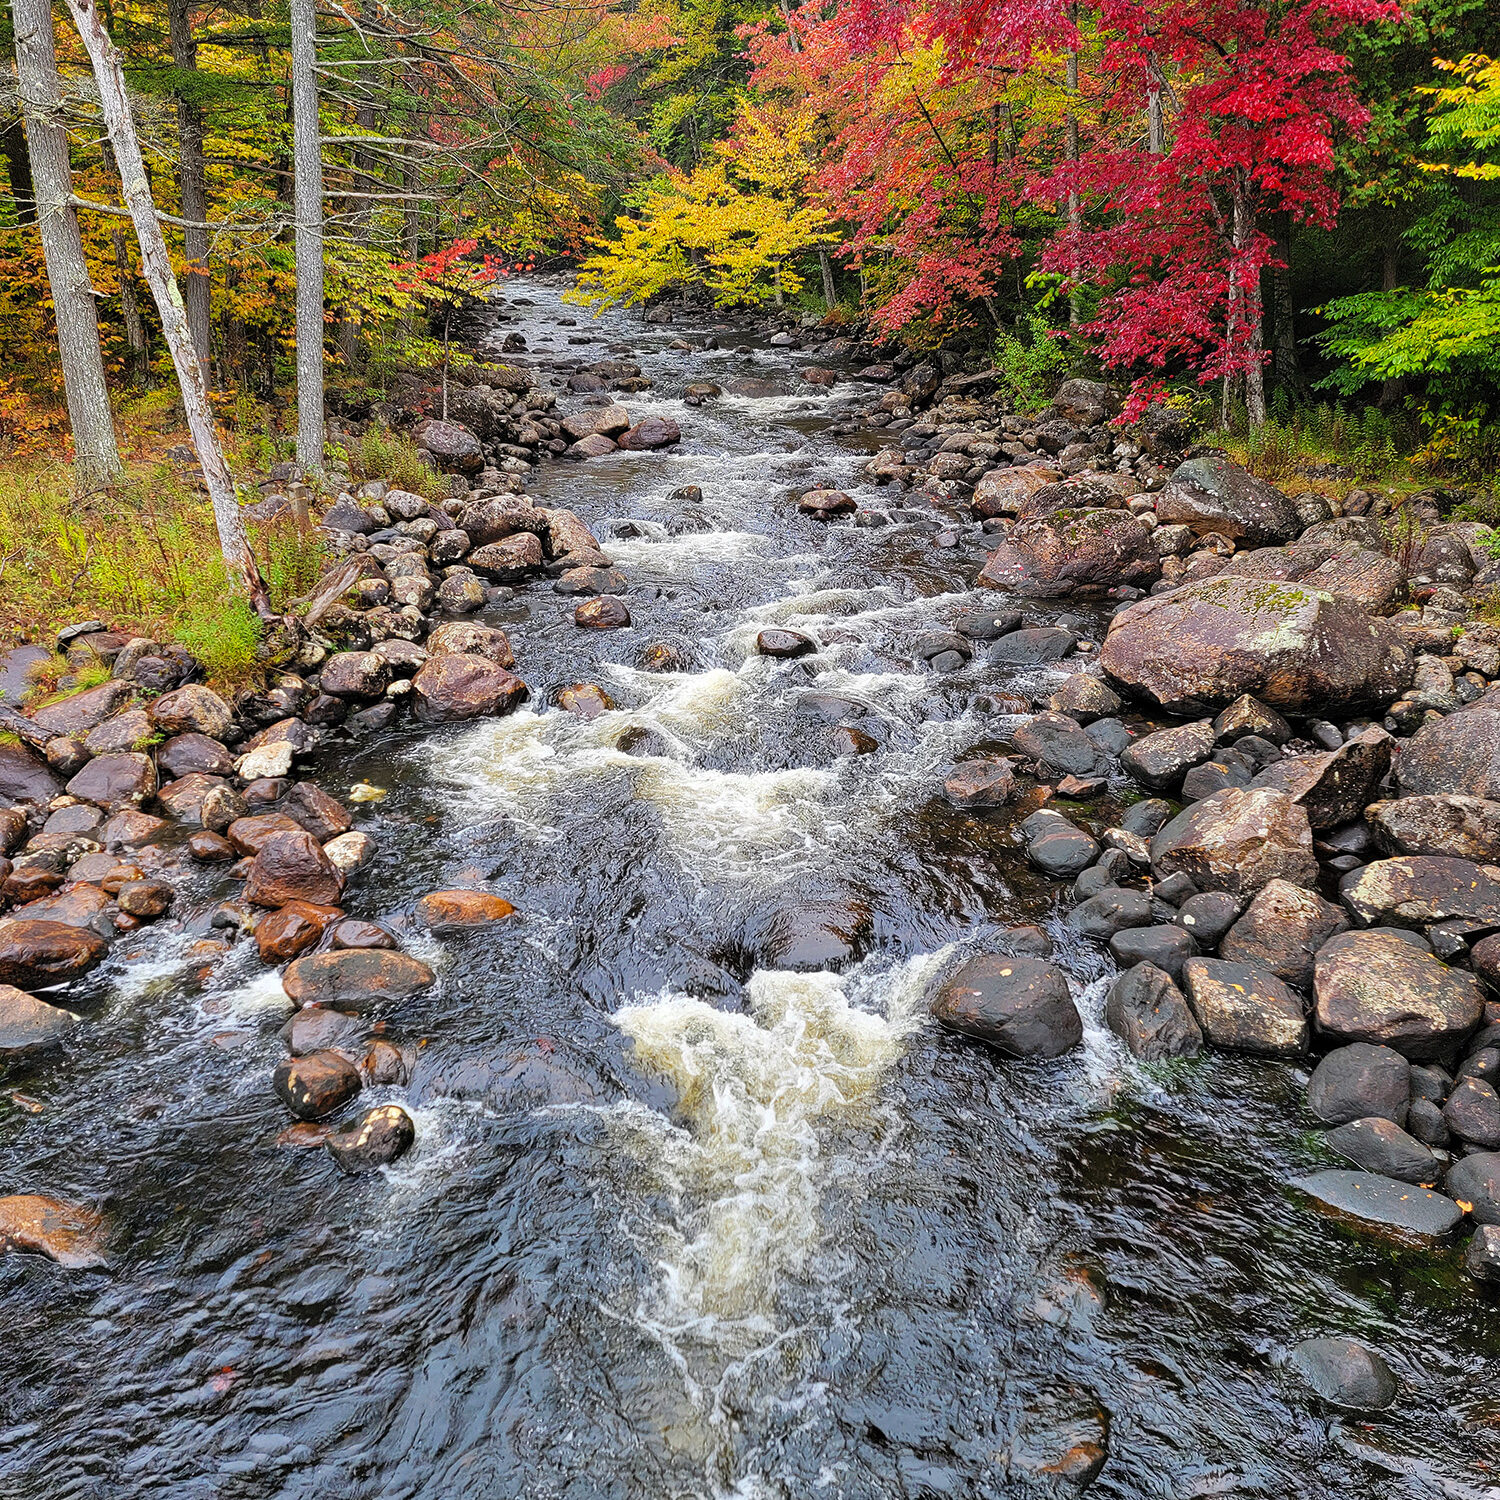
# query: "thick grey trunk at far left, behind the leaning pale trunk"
{"points": [[40, 89]]}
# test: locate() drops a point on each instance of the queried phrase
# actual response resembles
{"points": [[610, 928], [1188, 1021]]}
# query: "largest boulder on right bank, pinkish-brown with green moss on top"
{"points": [[1295, 649]]}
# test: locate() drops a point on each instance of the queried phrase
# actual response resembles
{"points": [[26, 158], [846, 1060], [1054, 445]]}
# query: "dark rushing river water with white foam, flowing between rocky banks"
{"points": [[680, 1226]]}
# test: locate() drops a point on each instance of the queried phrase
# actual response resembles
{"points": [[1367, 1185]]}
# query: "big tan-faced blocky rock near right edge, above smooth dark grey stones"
{"points": [[1373, 986]]}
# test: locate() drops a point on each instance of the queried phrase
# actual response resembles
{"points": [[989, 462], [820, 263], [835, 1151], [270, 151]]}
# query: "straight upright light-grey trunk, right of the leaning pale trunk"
{"points": [[308, 197]]}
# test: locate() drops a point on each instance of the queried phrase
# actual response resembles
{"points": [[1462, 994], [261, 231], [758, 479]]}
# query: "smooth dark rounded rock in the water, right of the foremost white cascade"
{"points": [[1019, 1006]]}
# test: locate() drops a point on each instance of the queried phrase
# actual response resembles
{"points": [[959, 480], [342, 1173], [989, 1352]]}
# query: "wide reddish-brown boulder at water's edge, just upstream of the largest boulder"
{"points": [[1072, 551]]}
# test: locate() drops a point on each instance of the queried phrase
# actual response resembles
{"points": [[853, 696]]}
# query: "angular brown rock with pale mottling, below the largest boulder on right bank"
{"points": [[1238, 841]]}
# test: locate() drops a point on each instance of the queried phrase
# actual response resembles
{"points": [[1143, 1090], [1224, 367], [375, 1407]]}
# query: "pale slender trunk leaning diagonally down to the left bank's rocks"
{"points": [[158, 269]]}
